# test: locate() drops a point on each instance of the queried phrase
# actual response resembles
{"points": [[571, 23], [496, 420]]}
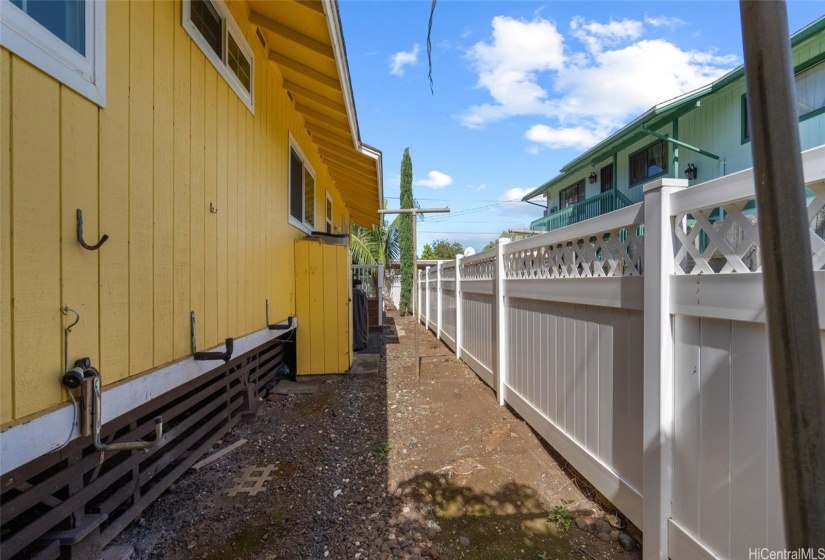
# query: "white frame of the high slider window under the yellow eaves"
{"points": [[228, 27]]}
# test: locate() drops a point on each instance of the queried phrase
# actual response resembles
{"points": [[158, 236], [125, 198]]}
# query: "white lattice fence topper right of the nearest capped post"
{"points": [[725, 239]]}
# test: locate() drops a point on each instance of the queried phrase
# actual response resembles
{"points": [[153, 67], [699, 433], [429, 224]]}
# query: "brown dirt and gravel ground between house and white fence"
{"points": [[382, 465]]}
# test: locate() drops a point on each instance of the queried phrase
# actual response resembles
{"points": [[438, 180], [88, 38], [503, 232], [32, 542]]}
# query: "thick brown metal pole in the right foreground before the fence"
{"points": [[790, 296]]}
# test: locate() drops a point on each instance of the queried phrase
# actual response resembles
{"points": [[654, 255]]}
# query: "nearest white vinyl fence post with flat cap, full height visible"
{"points": [[657, 480]]}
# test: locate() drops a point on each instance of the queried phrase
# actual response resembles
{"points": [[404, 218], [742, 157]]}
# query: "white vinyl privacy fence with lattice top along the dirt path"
{"points": [[635, 344]]}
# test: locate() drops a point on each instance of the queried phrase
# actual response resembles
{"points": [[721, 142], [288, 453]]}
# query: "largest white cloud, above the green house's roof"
{"points": [[585, 88]]}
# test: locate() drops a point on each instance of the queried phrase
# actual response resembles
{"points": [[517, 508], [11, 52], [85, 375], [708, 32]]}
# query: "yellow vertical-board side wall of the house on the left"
{"points": [[172, 139]]}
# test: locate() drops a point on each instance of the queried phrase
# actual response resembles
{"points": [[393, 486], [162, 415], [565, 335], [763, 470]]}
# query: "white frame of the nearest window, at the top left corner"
{"points": [[28, 39]]}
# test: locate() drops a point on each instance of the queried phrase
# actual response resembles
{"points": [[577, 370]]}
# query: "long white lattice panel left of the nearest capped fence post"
{"points": [[610, 254]]}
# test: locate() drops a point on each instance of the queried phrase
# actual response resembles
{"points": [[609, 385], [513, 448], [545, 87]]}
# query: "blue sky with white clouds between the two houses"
{"points": [[520, 89]]}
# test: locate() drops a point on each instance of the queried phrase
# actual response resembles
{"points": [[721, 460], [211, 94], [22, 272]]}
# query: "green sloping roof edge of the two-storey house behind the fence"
{"points": [[656, 117]]}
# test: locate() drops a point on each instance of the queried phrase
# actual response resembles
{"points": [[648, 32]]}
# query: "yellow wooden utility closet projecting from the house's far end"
{"points": [[322, 277]]}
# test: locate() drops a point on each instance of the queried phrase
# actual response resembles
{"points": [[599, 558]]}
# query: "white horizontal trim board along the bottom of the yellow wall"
{"points": [[27, 441]]}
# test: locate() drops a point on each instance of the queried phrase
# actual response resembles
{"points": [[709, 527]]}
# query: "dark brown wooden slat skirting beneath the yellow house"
{"points": [[67, 504]]}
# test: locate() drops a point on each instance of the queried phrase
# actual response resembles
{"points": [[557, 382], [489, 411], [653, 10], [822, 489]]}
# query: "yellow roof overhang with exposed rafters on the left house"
{"points": [[305, 39]]}
